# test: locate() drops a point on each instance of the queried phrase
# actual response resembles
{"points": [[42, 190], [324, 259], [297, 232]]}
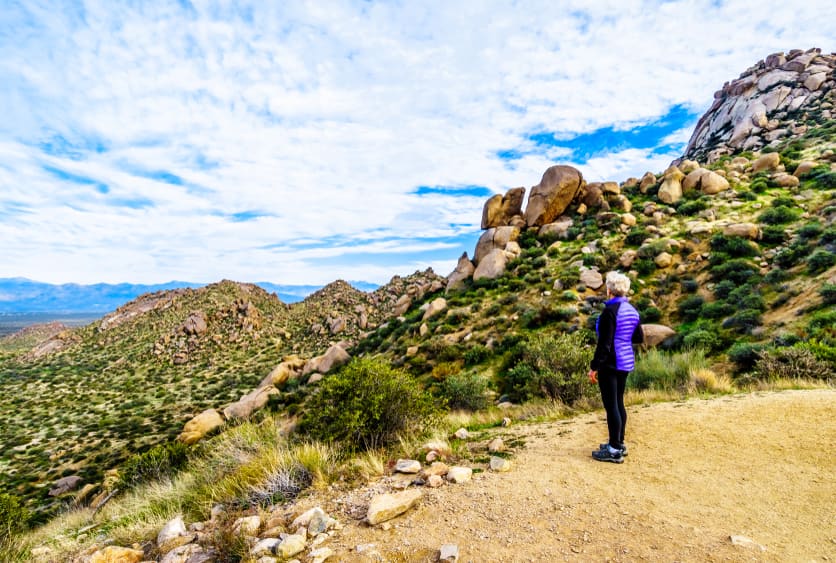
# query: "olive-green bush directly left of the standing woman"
{"points": [[554, 367]]}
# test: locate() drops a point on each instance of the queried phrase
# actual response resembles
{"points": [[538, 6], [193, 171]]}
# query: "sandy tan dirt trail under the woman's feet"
{"points": [[759, 465]]}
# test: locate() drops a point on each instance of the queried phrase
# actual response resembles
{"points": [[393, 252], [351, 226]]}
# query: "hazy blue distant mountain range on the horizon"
{"points": [[21, 295]]}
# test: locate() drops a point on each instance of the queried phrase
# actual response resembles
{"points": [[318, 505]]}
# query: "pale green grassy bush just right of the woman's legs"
{"points": [[656, 369]]}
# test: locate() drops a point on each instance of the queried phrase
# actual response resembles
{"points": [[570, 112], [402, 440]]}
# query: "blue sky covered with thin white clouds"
{"points": [[306, 141]]}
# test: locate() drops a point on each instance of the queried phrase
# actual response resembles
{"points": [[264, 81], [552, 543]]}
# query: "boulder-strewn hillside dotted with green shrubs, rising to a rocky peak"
{"points": [[730, 250]]}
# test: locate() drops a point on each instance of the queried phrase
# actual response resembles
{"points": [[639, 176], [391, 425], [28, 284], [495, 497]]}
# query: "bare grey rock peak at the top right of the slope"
{"points": [[777, 97]]}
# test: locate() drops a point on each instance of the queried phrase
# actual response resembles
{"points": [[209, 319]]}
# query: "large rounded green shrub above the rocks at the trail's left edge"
{"points": [[367, 405]]}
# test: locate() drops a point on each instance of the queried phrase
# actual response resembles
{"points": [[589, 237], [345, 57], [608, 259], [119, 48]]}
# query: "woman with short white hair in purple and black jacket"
{"points": [[618, 328]]}
